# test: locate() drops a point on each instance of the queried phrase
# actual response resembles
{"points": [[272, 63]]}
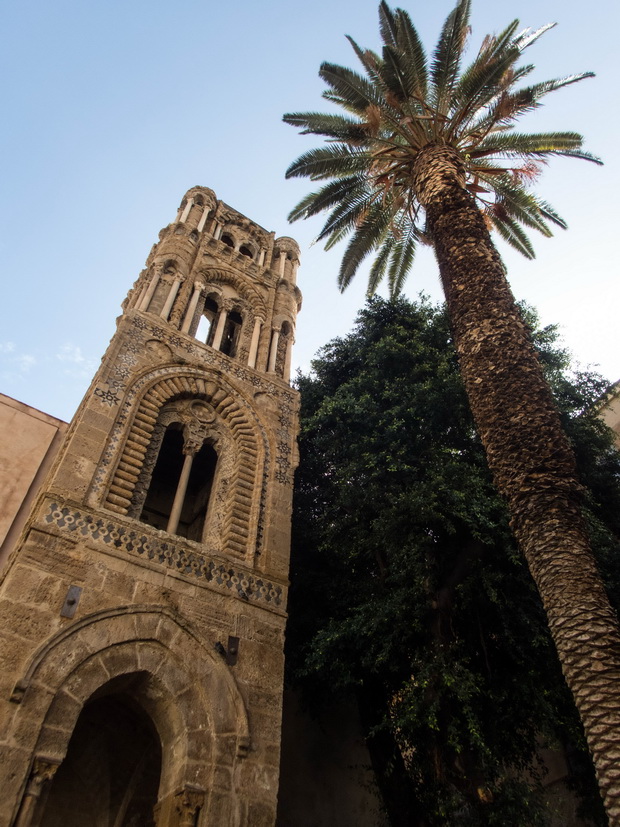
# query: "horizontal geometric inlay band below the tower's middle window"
{"points": [[182, 560]]}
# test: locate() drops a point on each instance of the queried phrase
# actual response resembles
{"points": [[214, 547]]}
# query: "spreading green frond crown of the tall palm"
{"points": [[405, 103]]}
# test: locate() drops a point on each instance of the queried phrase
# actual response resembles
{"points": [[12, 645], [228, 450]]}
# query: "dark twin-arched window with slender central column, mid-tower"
{"points": [[168, 487]]}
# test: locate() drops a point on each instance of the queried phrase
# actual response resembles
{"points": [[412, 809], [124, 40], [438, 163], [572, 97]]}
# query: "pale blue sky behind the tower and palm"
{"points": [[112, 110]]}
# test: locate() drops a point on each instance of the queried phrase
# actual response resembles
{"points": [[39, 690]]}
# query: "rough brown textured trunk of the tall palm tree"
{"points": [[529, 456]]}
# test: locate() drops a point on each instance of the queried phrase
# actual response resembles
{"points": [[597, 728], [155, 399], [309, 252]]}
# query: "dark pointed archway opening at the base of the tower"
{"points": [[110, 775]]}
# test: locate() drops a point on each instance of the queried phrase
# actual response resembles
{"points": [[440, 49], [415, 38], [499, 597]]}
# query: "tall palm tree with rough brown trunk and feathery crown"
{"points": [[426, 152]]}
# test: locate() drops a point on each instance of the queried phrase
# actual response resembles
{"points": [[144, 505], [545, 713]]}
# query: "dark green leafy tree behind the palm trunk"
{"points": [[408, 591]]}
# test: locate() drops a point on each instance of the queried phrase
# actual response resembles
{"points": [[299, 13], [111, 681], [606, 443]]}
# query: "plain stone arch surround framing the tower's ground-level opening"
{"points": [[154, 655]]}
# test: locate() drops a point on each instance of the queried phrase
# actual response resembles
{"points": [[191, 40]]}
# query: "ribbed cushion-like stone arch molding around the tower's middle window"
{"points": [[144, 401]]}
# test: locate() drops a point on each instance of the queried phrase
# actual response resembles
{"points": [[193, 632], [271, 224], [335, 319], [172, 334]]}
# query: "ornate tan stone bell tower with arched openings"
{"points": [[142, 610]]}
